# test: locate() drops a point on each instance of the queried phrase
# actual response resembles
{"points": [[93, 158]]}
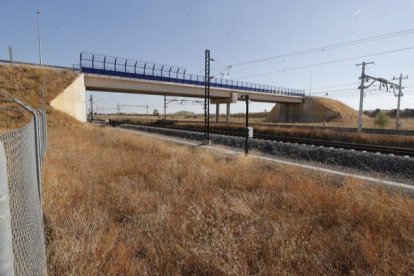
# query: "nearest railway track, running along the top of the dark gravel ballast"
{"points": [[305, 141]]}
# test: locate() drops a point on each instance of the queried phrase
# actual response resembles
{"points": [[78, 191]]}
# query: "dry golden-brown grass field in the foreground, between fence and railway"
{"points": [[120, 204]]}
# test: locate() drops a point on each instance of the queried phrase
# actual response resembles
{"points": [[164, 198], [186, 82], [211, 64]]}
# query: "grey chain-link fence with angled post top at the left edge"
{"points": [[21, 155]]}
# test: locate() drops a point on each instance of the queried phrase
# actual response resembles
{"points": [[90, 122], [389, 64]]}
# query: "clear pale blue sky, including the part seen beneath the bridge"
{"points": [[177, 32]]}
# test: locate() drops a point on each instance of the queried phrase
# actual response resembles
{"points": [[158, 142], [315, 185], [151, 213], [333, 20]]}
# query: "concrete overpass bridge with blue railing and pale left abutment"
{"points": [[112, 74]]}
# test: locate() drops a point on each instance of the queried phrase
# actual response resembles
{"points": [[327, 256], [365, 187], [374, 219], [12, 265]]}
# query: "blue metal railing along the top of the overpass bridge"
{"points": [[122, 67]]}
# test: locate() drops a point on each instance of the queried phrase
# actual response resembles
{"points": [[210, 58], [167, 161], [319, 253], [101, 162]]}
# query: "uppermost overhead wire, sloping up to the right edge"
{"points": [[330, 47]]}
